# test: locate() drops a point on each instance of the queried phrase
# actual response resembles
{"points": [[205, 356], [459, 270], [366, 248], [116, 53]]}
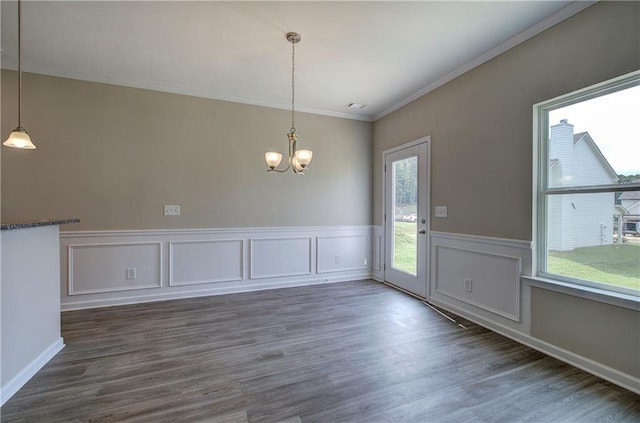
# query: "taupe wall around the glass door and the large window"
{"points": [[481, 165]]}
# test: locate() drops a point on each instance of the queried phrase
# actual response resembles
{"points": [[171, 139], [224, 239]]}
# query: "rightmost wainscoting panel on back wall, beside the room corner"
{"points": [[338, 253]]}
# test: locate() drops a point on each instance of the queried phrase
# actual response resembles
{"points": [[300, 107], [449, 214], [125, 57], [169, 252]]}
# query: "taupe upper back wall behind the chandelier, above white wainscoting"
{"points": [[113, 156]]}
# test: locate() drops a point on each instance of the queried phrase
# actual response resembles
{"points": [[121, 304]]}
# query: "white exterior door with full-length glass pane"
{"points": [[406, 217]]}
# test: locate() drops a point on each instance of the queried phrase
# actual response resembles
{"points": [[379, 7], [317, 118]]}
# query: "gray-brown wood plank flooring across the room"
{"points": [[345, 352]]}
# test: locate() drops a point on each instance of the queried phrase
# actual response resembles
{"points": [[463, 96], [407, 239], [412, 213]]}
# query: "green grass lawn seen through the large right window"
{"points": [[611, 264]]}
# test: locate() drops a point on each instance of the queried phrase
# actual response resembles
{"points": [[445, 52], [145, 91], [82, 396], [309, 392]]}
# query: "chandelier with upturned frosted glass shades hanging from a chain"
{"points": [[298, 159]]}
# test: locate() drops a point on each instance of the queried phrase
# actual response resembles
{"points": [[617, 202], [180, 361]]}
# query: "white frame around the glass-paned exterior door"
{"points": [[383, 247]]}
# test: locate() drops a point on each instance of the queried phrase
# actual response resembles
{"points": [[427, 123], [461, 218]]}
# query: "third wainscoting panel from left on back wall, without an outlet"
{"points": [[280, 257]]}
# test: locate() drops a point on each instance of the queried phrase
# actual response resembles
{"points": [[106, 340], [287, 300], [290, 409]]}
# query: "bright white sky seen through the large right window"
{"points": [[613, 121]]}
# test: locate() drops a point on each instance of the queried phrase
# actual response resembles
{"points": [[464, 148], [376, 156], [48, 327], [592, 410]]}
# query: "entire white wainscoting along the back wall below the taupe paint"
{"points": [[195, 262]]}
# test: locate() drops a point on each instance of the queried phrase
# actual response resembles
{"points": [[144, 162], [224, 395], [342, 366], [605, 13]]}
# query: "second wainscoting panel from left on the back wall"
{"points": [[195, 262]]}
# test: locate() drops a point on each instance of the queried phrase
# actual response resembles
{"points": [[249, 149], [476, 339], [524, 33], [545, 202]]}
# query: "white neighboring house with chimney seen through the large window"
{"points": [[578, 220]]}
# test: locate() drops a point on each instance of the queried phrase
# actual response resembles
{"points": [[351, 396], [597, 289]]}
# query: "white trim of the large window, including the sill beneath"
{"points": [[586, 289]]}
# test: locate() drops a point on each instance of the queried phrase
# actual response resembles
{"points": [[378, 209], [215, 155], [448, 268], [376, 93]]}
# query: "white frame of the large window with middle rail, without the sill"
{"points": [[541, 191]]}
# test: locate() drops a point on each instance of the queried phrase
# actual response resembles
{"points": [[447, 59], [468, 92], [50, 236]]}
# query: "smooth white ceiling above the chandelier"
{"points": [[381, 54]]}
